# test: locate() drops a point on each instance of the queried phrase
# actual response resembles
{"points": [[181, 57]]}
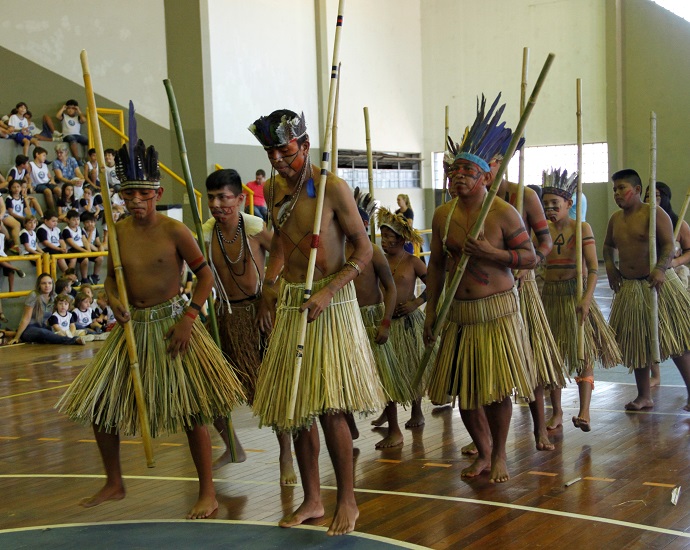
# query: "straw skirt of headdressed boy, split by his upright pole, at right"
{"points": [[560, 301]]}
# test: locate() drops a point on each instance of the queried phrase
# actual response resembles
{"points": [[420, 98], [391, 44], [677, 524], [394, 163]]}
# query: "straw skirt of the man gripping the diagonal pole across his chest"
{"points": [[484, 354]]}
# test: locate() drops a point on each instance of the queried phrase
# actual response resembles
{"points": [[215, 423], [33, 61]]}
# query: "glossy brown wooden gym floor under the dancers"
{"points": [[629, 465]]}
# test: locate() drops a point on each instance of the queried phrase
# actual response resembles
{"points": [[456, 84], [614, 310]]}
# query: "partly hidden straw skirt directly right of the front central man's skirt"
{"points": [[396, 382]]}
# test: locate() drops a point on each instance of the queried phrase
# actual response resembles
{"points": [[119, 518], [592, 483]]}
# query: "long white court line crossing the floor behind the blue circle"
{"points": [[464, 500]]}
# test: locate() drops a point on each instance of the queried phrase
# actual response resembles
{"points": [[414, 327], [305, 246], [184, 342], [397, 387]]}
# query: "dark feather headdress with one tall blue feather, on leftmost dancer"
{"points": [[136, 165]]}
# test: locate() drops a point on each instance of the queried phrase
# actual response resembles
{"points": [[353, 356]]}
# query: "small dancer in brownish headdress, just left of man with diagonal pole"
{"points": [[407, 328]]}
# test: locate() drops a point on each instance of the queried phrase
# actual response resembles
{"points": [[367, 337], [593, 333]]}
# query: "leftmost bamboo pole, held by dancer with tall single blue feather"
{"points": [[114, 251]]}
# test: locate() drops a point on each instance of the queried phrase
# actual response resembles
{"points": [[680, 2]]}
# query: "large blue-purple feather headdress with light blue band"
{"points": [[486, 139]]}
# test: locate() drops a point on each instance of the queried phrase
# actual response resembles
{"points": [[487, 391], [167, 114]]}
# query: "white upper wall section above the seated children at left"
{"points": [[125, 41]]}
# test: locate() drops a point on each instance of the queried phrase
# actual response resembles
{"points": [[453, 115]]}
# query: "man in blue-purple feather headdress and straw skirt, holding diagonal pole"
{"points": [[484, 355]]}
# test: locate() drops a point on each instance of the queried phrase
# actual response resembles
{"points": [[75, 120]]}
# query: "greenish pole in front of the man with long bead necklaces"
{"points": [[184, 159]]}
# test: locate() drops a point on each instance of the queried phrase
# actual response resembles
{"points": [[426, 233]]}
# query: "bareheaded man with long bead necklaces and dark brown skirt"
{"points": [[237, 246]]}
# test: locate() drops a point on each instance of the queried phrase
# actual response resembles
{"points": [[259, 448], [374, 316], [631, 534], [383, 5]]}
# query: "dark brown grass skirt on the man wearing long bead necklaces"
{"points": [[242, 342]]}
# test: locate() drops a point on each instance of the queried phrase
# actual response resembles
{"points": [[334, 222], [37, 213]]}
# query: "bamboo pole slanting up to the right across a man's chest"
{"points": [[477, 227]]}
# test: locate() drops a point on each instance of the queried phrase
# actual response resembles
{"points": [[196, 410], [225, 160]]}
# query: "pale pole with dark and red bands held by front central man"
{"points": [[325, 157]]}
